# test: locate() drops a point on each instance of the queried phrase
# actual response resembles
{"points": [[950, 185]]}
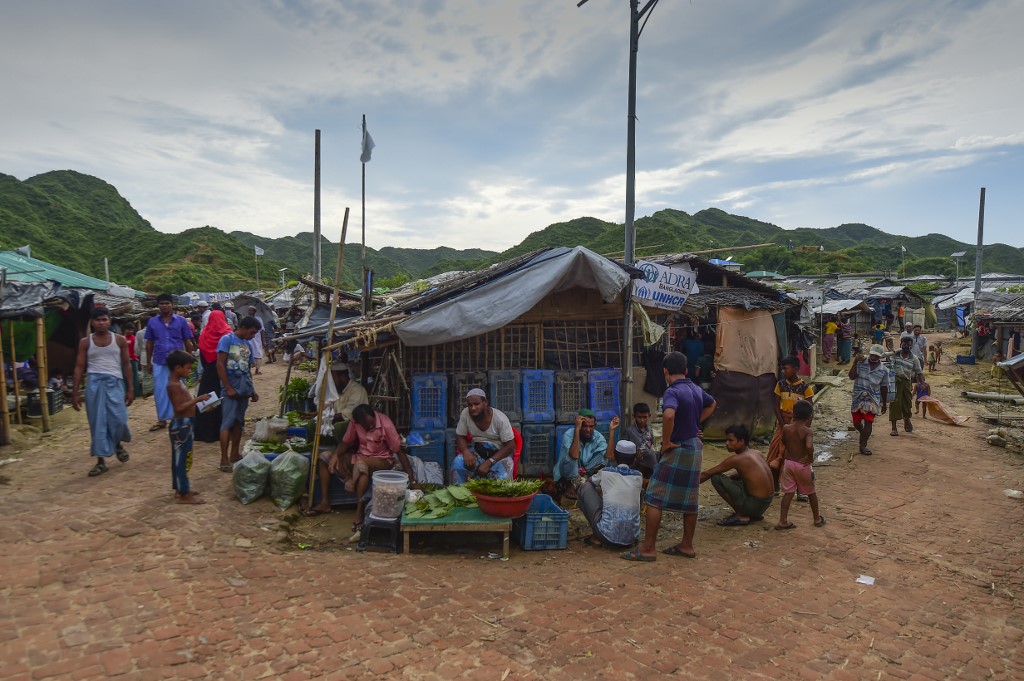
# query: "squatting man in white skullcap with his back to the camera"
{"points": [[611, 500]]}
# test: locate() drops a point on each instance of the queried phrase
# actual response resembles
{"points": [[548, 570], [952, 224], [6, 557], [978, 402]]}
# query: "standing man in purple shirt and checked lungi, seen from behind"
{"points": [[675, 485]]}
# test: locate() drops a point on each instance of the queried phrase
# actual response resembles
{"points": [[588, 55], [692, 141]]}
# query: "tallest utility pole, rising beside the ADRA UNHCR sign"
{"points": [[636, 15]]}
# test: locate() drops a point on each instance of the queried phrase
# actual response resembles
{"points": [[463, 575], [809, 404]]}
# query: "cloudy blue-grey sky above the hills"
{"points": [[496, 118]]}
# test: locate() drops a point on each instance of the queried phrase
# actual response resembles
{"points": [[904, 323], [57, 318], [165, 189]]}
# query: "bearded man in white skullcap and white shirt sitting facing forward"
{"points": [[493, 442]]}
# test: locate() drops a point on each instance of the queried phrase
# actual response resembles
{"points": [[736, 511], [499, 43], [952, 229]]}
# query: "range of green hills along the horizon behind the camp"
{"points": [[76, 221]]}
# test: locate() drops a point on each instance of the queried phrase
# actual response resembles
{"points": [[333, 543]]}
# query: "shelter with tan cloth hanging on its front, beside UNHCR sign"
{"points": [[749, 326]]}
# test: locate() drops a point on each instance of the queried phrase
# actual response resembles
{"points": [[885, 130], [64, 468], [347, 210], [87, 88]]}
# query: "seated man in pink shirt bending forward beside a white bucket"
{"points": [[376, 443]]}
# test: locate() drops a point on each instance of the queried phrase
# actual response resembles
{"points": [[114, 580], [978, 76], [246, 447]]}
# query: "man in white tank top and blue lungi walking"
{"points": [[109, 392]]}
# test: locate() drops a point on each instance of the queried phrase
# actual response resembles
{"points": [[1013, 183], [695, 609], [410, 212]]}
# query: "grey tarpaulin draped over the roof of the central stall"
{"points": [[498, 302]]}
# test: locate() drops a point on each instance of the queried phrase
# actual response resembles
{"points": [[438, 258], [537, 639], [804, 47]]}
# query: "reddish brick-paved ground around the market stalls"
{"points": [[104, 578]]}
